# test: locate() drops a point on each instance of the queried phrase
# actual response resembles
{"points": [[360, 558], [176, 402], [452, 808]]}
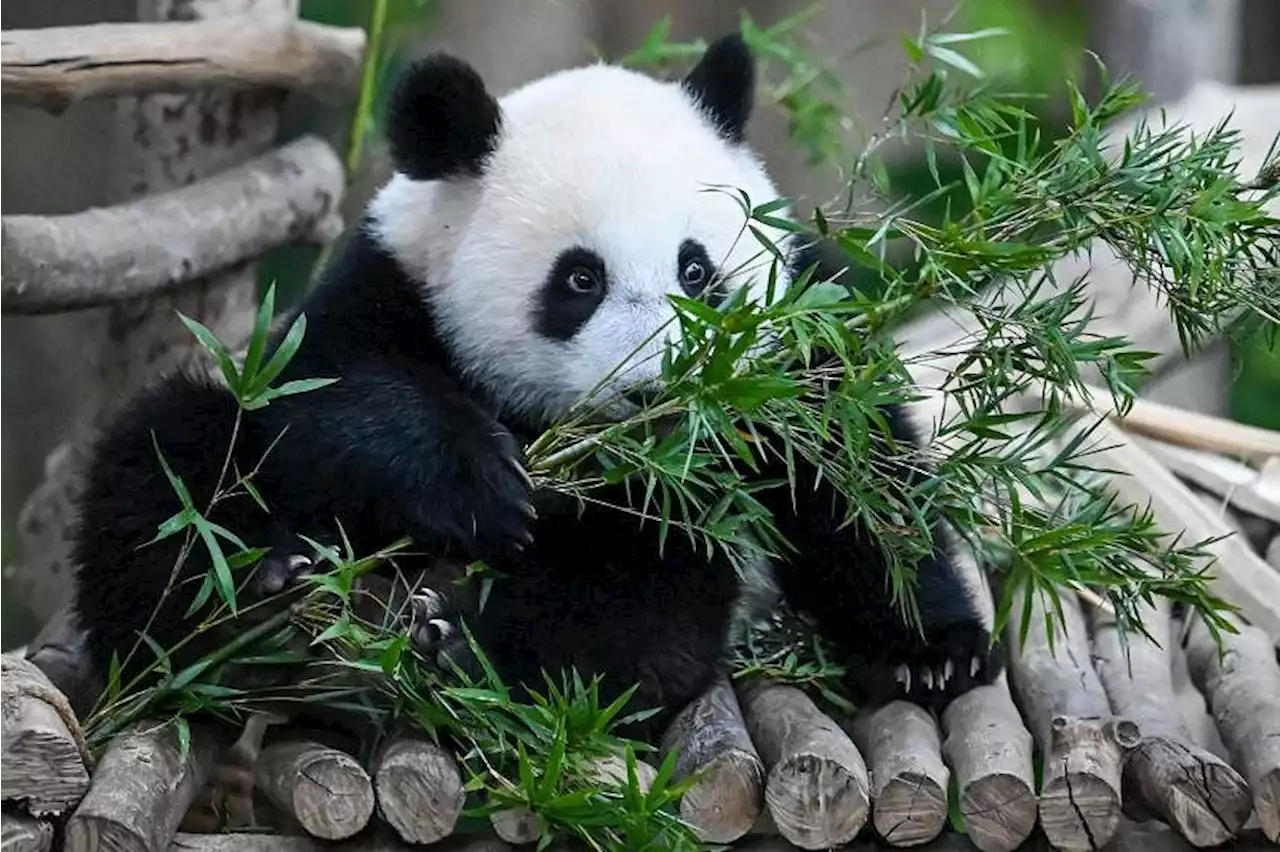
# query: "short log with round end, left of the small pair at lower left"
{"points": [[323, 790]]}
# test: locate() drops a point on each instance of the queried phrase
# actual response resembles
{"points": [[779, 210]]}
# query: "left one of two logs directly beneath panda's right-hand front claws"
{"points": [[909, 780]]}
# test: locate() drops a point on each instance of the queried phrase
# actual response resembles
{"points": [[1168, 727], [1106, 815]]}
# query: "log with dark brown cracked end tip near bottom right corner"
{"points": [[1167, 775]]}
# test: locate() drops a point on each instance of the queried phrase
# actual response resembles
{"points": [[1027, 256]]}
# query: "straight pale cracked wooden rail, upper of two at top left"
{"points": [[57, 67]]}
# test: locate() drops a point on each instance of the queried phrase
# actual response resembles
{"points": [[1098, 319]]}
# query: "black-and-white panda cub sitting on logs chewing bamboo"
{"points": [[523, 250]]}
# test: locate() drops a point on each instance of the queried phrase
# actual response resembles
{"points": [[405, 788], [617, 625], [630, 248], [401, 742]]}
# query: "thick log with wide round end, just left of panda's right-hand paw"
{"points": [[817, 785]]}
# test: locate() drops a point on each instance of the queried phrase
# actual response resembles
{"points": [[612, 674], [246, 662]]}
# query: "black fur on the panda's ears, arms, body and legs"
{"points": [[403, 445]]}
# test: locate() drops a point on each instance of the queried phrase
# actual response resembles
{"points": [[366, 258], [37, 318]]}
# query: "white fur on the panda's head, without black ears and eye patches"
{"points": [[601, 158]]}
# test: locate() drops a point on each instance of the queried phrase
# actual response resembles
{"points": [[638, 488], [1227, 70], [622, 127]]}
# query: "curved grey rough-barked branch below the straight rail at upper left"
{"points": [[103, 256]]}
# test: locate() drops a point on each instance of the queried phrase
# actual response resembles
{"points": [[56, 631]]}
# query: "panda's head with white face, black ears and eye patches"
{"points": [[548, 227]]}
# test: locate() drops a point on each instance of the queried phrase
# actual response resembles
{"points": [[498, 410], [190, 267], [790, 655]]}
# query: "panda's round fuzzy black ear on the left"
{"points": [[441, 121]]}
